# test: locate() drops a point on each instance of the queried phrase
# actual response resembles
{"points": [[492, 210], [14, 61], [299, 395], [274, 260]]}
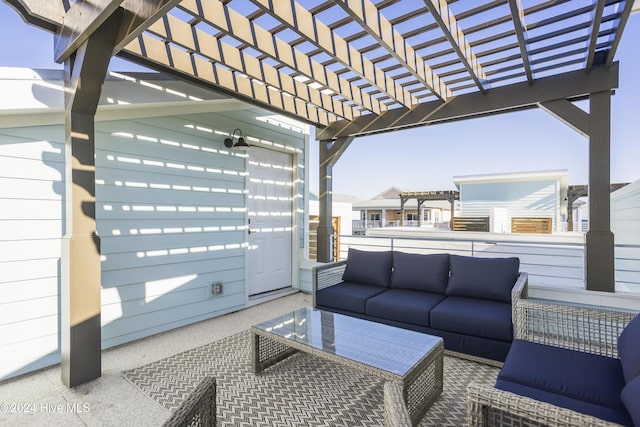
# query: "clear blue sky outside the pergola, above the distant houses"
{"points": [[428, 158]]}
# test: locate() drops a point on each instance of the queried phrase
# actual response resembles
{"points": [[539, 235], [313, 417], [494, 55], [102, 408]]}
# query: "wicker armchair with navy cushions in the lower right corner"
{"points": [[570, 365]]}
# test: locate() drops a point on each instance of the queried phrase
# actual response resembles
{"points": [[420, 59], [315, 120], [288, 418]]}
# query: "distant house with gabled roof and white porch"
{"points": [[385, 210]]}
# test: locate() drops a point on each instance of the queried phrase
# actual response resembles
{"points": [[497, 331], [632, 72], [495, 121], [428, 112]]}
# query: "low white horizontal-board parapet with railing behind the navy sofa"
{"points": [[556, 264]]}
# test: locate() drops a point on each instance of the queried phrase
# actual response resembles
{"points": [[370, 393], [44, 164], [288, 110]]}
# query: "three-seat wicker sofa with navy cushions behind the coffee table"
{"points": [[468, 301]]}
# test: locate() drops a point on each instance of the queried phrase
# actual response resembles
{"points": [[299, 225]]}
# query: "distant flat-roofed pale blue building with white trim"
{"points": [[507, 198]]}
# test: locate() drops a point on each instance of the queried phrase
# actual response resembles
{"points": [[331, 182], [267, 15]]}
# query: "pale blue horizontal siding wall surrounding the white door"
{"points": [[171, 214]]}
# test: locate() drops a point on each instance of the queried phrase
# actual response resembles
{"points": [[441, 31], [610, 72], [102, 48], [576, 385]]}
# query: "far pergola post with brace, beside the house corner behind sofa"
{"points": [[330, 152]]}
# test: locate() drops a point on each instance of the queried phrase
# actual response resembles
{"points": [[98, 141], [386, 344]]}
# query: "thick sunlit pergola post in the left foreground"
{"points": [[85, 71]]}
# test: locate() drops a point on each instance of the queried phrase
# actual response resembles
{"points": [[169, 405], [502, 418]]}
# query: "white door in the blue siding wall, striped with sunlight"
{"points": [[270, 202]]}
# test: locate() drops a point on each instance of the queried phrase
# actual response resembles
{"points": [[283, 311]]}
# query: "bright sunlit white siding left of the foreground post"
{"points": [[31, 225]]}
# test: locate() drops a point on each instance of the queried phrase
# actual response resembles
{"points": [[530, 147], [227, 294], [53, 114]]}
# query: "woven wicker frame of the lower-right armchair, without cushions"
{"points": [[577, 327]]}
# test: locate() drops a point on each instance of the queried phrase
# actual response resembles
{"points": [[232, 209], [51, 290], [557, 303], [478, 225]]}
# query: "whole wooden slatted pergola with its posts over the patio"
{"points": [[348, 67]]}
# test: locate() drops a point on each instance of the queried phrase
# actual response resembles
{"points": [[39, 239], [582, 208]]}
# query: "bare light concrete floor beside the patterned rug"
{"points": [[40, 398]]}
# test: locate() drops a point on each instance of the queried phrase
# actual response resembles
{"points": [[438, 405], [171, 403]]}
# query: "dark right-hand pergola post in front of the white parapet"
{"points": [[599, 243]]}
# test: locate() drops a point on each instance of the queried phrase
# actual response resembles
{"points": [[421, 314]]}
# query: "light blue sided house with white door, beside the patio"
{"points": [[176, 210]]}
